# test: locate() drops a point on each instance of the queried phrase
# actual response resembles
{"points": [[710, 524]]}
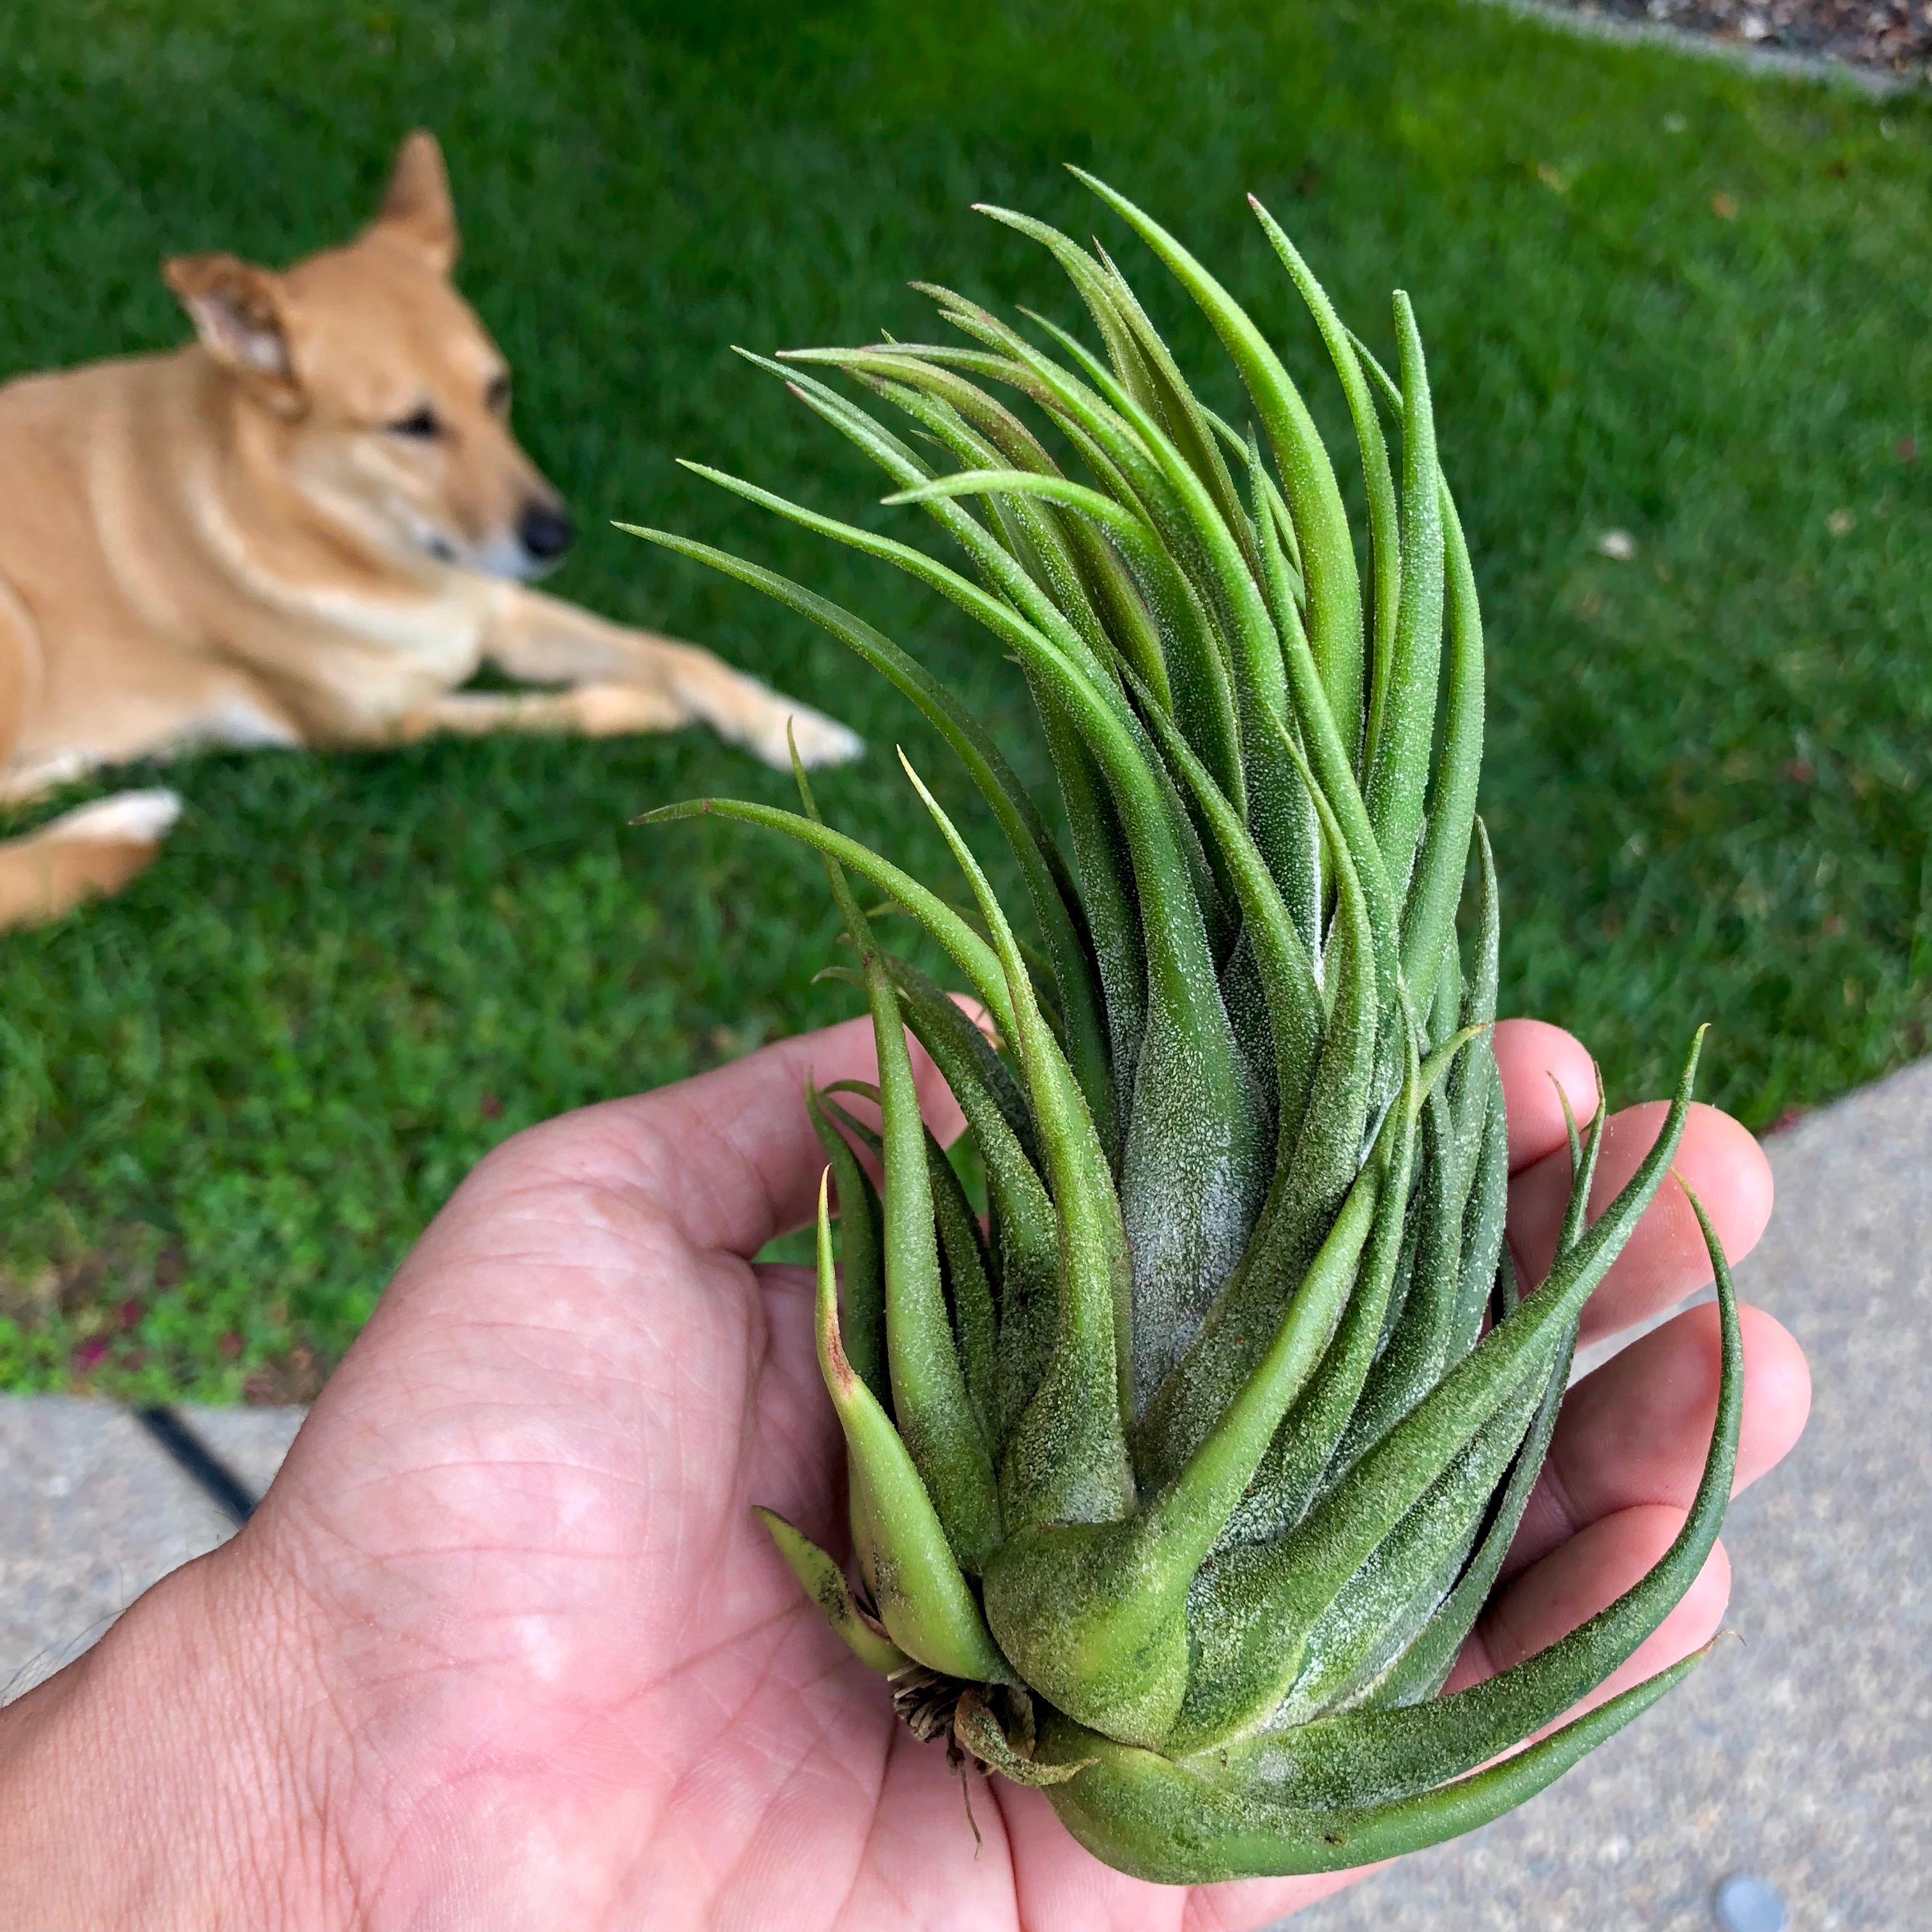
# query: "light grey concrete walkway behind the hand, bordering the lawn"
{"points": [[1802, 1757]]}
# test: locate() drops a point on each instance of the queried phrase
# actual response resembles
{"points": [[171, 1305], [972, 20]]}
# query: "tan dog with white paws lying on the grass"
{"points": [[308, 528]]}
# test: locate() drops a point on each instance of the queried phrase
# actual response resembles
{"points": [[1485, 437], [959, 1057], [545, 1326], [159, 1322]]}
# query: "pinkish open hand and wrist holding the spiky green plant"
{"points": [[505, 1645]]}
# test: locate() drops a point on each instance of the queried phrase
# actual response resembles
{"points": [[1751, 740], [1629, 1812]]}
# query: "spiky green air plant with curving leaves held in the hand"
{"points": [[1179, 1481]]}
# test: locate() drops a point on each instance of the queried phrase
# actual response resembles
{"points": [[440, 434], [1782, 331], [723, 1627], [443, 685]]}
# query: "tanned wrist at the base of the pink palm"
{"points": [[163, 1780]]}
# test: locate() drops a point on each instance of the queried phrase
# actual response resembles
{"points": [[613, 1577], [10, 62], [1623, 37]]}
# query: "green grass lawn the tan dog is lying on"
{"points": [[1659, 297]]}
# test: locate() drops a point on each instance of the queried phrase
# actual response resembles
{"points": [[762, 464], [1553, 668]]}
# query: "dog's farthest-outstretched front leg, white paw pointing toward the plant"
{"points": [[548, 640]]}
